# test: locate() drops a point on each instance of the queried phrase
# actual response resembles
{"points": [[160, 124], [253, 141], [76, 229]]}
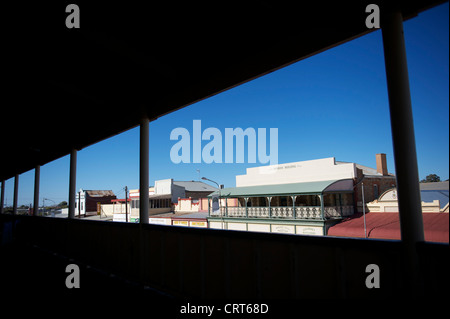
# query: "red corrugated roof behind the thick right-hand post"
{"points": [[387, 226]]}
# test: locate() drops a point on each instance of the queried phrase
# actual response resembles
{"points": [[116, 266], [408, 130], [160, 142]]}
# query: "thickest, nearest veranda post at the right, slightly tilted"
{"points": [[411, 221]]}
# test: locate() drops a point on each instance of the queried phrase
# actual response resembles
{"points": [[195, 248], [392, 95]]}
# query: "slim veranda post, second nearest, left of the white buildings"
{"points": [[143, 171]]}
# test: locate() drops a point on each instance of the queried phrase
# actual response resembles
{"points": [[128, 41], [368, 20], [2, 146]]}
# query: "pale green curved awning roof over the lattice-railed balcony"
{"points": [[306, 188]]}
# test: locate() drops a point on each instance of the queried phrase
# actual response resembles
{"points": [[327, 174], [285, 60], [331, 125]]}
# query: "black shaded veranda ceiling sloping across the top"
{"points": [[69, 88]]}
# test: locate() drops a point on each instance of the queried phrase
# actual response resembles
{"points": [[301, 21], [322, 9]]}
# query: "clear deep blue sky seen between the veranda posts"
{"points": [[333, 104]]}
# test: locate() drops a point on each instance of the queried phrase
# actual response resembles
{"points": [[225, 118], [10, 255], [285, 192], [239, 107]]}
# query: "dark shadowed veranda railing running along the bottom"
{"points": [[222, 263]]}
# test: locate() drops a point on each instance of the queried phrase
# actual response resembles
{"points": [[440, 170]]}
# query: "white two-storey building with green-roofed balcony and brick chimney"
{"points": [[304, 197]]}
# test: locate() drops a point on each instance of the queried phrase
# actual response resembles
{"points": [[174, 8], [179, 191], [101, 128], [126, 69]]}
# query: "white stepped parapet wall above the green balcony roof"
{"points": [[297, 172]]}
